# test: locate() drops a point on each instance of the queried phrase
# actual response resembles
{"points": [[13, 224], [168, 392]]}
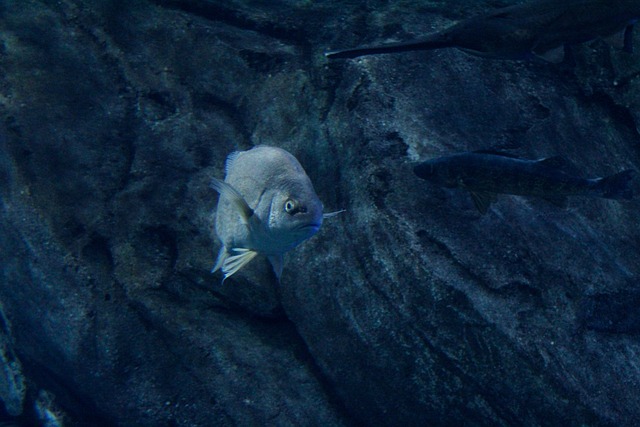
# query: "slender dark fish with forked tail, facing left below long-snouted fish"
{"points": [[485, 174]]}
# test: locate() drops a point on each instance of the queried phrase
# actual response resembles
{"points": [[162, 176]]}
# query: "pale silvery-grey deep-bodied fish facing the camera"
{"points": [[267, 206]]}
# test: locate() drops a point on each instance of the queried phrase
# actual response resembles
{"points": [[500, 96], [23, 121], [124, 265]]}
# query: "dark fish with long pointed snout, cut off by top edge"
{"points": [[535, 29]]}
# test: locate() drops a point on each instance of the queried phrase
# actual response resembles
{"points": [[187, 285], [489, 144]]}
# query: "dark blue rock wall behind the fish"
{"points": [[408, 309]]}
